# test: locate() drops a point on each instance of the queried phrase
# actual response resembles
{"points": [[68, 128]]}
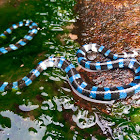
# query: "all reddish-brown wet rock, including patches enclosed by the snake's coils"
{"points": [[114, 24]]}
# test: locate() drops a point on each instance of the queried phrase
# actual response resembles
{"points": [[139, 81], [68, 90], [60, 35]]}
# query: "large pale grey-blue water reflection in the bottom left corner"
{"points": [[30, 130]]}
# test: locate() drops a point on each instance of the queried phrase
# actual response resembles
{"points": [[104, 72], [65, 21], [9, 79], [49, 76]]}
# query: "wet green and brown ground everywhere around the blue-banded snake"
{"points": [[48, 109]]}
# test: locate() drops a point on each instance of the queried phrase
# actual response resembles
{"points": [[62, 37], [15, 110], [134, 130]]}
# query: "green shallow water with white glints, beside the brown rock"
{"points": [[48, 109]]}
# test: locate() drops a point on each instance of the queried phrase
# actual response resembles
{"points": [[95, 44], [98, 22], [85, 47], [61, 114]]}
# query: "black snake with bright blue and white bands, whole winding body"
{"points": [[86, 91]]}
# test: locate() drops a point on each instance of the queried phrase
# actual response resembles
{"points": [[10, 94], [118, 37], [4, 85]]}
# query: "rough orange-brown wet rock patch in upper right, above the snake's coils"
{"points": [[114, 24]]}
